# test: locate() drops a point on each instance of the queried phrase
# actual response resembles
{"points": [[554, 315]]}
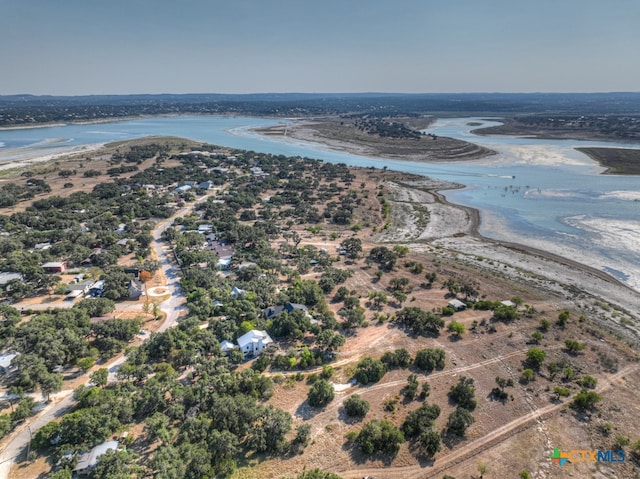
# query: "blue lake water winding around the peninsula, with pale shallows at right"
{"points": [[541, 193]]}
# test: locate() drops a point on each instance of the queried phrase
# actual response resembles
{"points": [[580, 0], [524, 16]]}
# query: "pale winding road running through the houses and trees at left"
{"points": [[15, 446]]}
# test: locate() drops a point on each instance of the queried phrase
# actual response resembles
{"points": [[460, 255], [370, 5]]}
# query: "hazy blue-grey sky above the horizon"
{"points": [[80, 47]]}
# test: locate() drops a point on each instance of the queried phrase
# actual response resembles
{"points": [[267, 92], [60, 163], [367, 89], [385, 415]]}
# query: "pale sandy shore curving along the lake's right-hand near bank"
{"points": [[423, 220]]}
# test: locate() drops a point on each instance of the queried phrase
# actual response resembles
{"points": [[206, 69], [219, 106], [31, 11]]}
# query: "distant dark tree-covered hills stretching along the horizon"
{"points": [[31, 109]]}
